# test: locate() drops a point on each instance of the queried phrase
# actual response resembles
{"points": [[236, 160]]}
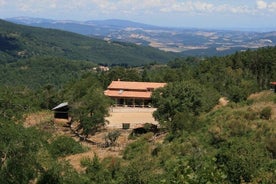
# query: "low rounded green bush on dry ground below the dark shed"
{"points": [[64, 145]]}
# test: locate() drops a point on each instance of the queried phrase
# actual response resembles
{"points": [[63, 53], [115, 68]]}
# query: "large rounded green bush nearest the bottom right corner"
{"points": [[239, 162]]}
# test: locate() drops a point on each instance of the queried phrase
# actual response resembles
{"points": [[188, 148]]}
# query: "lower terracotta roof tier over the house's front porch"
{"points": [[128, 94]]}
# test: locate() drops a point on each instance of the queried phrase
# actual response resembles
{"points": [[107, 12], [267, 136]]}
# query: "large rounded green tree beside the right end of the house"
{"points": [[182, 97]]}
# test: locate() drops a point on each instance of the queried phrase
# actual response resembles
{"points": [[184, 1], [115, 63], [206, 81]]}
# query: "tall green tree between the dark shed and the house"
{"points": [[89, 105]]}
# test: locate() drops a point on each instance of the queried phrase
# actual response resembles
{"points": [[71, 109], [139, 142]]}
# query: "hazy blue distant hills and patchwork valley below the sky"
{"points": [[193, 42]]}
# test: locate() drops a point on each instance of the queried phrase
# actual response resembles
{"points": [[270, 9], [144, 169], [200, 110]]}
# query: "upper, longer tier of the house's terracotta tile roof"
{"points": [[126, 85]]}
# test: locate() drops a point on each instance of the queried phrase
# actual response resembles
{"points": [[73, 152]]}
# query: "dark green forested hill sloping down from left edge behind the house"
{"points": [[20, 41]]}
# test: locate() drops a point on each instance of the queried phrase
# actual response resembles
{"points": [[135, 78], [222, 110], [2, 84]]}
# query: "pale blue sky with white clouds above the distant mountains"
{"points": [[171, 13]]}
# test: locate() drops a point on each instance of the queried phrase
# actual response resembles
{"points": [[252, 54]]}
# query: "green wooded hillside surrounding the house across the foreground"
{"points": [[198, 141]]}
